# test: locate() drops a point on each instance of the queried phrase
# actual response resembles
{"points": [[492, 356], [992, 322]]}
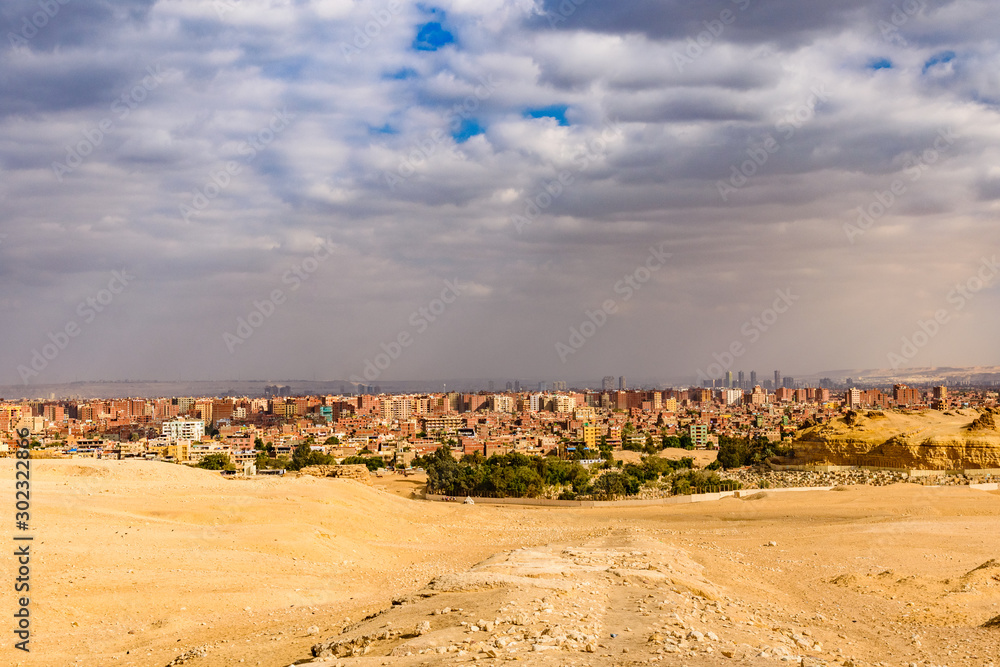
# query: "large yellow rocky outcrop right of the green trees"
{"points": [[930, 440]]}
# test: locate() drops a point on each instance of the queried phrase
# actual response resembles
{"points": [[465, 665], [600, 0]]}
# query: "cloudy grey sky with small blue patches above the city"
{"points": [[386, 190]]}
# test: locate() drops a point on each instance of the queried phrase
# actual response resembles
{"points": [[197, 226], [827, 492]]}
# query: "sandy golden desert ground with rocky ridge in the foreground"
{"points": [[143, 563]]}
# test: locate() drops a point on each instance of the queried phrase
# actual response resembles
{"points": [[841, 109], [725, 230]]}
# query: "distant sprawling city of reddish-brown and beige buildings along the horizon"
{"points": [[548, 418]]}
